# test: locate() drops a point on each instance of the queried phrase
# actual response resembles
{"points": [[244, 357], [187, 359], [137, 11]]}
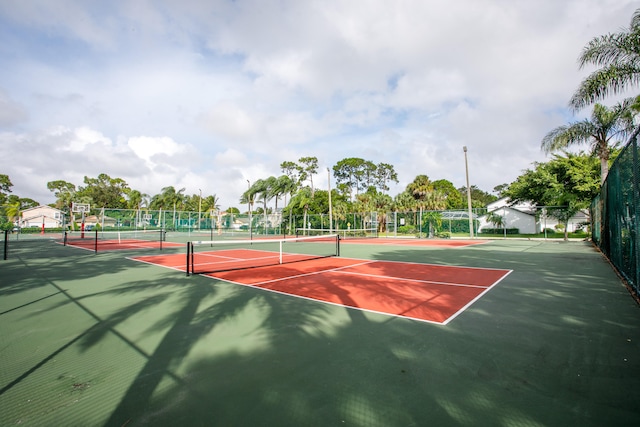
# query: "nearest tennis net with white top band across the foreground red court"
{"points": [[225, 255]]}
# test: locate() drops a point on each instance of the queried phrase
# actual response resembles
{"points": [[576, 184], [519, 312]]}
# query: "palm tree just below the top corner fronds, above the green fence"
{"points": [[603, 131]]}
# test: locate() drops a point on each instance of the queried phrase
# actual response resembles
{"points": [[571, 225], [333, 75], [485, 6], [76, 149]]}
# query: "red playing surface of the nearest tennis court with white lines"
{"points": [[424, 292]]}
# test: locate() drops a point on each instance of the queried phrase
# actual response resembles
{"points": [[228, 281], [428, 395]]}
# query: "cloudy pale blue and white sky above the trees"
{"points": [[207, 95]]}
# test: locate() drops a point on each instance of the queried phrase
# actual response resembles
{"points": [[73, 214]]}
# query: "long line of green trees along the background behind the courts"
{"points": [[360, 186]]}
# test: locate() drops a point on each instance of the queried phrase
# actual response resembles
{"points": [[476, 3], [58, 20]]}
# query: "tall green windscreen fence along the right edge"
{"points": [[615, 213]]}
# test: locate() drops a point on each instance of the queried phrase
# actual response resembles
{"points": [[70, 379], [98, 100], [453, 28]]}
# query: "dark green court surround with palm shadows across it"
{"points": [[102, 340]]}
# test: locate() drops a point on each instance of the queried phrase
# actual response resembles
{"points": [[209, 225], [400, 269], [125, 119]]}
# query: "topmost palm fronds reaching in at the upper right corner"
{"points": [[618, 56]]}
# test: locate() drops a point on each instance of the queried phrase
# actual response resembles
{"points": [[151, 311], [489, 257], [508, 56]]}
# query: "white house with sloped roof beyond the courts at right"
{"points": [[528, 219]]}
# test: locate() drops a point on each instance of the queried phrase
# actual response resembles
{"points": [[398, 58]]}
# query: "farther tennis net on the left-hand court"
{"points": [[108, 240]]}
